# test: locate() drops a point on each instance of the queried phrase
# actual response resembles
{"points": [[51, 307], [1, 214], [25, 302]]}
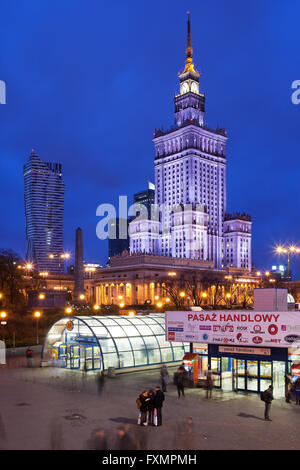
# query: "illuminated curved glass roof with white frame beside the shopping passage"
{"points": [[116, 341]]}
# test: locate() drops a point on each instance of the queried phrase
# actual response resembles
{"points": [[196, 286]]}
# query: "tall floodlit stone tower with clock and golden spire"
{"points": [[190, 185]]}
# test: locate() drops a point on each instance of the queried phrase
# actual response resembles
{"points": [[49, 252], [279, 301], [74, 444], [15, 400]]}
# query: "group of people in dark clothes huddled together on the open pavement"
{"points": [[150, 405]]}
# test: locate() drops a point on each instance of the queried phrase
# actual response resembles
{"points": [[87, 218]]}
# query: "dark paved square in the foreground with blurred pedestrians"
{"points": [[58, 409]]}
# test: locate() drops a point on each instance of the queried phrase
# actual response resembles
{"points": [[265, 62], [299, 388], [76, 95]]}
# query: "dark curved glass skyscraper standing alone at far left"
{"points": [[44, 211]]}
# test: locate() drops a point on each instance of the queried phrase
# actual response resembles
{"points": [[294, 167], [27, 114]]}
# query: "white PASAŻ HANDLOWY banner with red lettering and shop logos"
{"points": [[238, 328]]}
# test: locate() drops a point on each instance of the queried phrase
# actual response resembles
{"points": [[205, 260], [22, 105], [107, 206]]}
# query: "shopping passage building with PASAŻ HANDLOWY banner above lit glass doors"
{"points": [[245, 350]]}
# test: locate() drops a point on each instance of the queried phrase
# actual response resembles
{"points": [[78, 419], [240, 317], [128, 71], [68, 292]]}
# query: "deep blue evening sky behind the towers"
{"points": [[88, 81]]}
